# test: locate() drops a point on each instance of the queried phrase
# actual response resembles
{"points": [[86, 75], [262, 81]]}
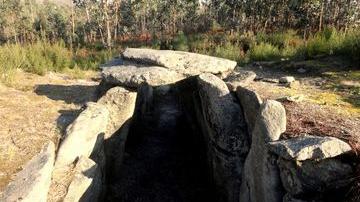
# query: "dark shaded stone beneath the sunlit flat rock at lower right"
{"points": [[312, 177]]}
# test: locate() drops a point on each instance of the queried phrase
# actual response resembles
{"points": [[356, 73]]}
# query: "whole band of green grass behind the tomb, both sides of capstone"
{"points": [[42, 57]]}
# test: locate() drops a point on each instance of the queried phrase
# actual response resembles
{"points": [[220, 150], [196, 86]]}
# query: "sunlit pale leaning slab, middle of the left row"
{"points": [[82, 136]]}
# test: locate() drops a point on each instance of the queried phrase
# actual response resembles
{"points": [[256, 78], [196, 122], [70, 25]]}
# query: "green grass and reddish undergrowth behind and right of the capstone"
{"points": [[264, 47]]}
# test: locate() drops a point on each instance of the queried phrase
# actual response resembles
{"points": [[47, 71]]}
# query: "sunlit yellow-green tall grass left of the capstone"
{"points": [[42, 57]]}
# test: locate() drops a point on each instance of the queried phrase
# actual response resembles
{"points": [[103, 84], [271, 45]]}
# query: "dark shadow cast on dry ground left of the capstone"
{"points": [[71, 94]]}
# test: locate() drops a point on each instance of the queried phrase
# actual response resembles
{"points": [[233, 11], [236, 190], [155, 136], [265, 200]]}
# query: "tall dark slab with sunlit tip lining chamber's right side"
{"points": [[226, 135]]}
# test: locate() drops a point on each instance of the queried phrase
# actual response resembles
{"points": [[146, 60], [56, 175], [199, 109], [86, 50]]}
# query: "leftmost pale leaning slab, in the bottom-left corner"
{"points": [[33, 182]]}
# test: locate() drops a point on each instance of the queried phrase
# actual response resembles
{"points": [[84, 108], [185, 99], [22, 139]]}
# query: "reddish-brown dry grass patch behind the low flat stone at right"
{"points": [[305, 118]]}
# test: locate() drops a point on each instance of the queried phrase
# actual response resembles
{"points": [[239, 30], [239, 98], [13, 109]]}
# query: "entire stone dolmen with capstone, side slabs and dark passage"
{"points": [[167, 127]]}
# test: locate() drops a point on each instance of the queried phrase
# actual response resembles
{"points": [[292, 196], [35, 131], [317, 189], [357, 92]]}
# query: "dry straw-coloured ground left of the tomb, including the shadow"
{"points": [[34, 110]]}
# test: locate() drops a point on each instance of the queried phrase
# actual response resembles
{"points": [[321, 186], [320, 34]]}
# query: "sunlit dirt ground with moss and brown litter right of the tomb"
{"points": [[322, 103]]}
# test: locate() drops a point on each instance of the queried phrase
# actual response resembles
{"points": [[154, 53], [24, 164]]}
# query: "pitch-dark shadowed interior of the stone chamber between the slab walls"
{"points": [[165, 157]]}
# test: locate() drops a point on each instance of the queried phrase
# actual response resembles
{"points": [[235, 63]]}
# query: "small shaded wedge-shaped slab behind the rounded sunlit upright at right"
{"points": [[250, 102]]}
